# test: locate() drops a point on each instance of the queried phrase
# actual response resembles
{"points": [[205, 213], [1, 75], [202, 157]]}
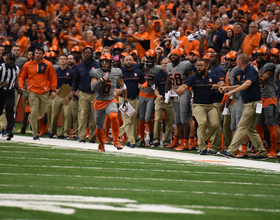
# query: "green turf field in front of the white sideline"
{"points": [[31, 169]]}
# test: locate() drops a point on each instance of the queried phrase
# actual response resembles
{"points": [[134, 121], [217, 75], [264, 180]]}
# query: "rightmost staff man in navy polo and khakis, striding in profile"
{"points": [[251, 96]]}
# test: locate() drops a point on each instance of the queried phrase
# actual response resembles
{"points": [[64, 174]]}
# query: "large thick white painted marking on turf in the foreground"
{"points": [[57, 204]]}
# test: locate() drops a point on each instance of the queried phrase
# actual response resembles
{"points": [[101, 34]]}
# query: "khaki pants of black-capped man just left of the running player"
{"points": [[86, 111]]}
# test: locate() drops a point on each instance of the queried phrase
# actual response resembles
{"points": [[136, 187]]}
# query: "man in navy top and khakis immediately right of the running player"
{"points": [[133, 78]]}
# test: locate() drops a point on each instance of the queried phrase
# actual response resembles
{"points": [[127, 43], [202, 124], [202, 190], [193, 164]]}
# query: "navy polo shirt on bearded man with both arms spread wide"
{"points": [[202, 88]]}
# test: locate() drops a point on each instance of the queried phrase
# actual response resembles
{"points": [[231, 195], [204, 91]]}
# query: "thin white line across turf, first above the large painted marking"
{"points": [[144, 190]]}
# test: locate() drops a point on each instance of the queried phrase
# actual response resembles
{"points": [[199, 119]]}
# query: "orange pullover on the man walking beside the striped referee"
{"points": [[41, 77]]}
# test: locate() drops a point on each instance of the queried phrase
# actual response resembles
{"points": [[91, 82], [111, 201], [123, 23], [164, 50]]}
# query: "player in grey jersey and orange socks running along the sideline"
{"points": [[104, 81]]}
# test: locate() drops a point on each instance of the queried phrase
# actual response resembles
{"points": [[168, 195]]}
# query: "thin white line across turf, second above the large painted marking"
{"points": [[135, 178]]}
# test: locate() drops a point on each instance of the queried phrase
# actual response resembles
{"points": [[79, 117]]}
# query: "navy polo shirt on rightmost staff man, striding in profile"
{"points": [[253, 93]]}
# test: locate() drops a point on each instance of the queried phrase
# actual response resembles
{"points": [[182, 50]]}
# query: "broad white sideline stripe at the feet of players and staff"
{"points": [[154, 153]]}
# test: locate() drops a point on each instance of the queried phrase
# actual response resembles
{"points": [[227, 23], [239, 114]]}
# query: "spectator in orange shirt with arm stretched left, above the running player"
{"points": [[142, 35]]}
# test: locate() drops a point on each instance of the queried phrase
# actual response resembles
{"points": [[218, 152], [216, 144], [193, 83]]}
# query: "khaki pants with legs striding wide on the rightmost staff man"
{"points": [[247, 125]]}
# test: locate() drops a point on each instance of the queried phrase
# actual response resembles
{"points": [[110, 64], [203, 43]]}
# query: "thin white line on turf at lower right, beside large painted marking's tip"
{"points": [[230, 208]]}
